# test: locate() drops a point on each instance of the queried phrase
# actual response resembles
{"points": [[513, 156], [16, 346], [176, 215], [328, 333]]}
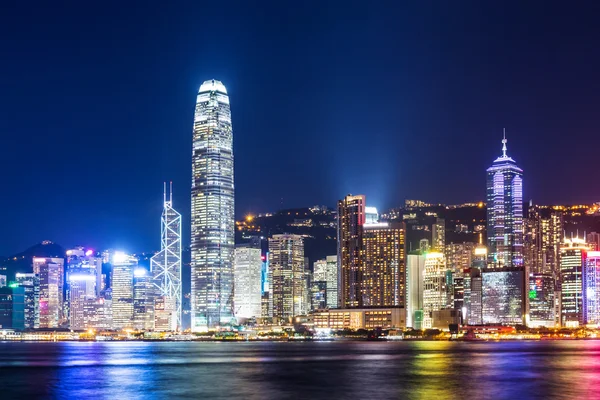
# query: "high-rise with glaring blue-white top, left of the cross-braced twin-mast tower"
{"points": [[123, 266]]}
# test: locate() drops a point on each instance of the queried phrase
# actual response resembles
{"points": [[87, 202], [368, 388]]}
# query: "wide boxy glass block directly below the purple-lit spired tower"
{"points": [[503, 296]]}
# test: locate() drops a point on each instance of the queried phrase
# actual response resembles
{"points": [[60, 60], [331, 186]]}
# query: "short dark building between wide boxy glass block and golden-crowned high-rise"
{"points": [[541, 300]]}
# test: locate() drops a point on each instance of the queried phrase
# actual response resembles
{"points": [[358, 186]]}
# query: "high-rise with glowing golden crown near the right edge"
{"points": [[572, 260]]}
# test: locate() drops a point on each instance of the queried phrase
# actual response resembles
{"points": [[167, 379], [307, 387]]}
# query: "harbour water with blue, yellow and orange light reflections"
{"points": [[411, 370]]}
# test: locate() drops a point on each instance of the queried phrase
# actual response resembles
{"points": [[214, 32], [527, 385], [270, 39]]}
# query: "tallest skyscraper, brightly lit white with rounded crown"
{"points": [[213, 220]]}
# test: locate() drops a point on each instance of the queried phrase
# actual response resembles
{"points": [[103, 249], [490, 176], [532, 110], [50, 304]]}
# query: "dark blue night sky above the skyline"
{"points": [[392, 100]]}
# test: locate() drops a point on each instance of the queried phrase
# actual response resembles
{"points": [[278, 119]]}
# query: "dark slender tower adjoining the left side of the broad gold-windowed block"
{"points": [[351, 218]]}
